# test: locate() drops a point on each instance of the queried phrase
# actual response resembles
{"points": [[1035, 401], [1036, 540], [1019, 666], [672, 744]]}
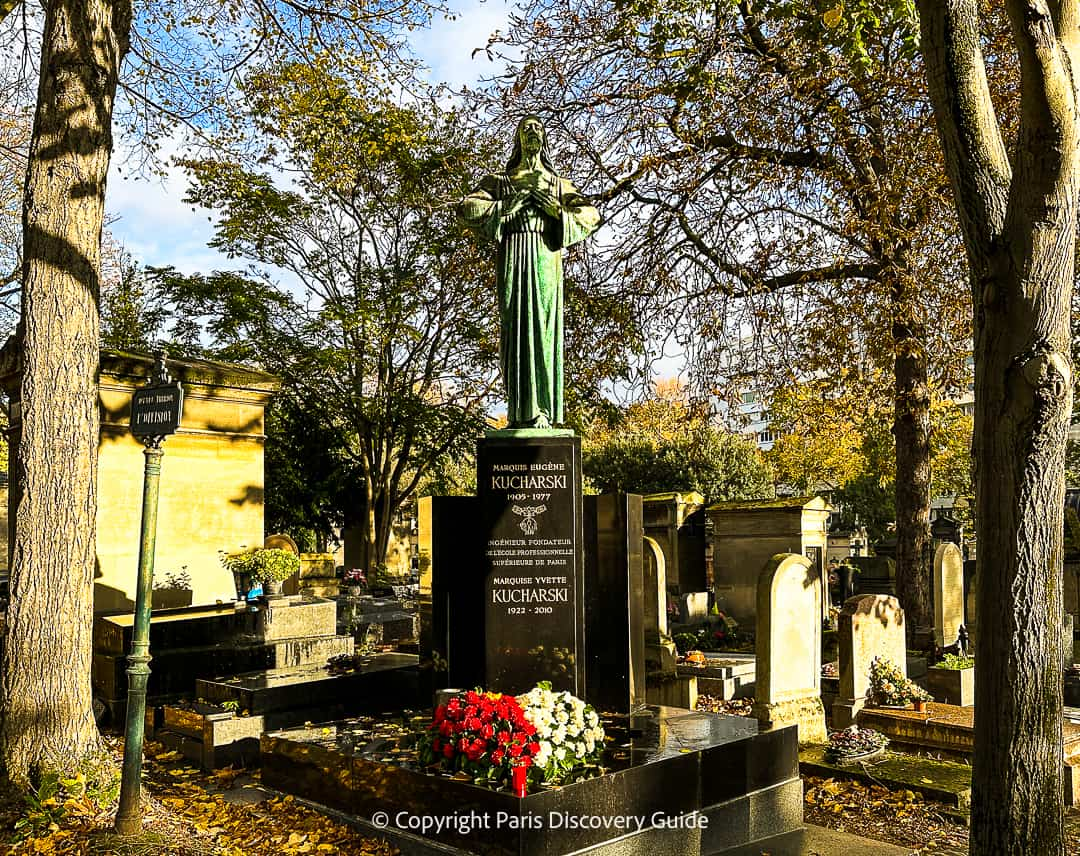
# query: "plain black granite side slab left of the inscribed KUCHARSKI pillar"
{"points": [[452, 583]]}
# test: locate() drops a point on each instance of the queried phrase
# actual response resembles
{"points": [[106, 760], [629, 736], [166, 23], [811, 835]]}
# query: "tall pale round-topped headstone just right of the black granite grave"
{"points": [[789, 647]]}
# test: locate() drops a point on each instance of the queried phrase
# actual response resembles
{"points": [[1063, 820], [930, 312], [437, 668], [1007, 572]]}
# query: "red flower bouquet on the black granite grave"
{"points": [[481, 735]]}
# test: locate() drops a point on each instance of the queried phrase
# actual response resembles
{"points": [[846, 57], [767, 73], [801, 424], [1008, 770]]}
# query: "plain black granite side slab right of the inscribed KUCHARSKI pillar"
{"points": [[615, 603]]}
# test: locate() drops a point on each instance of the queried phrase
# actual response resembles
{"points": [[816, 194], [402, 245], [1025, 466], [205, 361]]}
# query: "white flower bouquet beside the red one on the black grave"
{"points": [[568, 730]]}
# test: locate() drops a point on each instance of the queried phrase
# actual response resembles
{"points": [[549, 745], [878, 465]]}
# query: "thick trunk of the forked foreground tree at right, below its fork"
{"points": [[1023, 401]]}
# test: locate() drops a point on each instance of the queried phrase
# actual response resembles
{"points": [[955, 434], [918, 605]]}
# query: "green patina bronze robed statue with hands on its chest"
{"points": [[532, 214]]}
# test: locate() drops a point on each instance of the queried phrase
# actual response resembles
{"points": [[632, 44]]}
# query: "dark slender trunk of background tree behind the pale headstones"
{"points": [[912, 431]]}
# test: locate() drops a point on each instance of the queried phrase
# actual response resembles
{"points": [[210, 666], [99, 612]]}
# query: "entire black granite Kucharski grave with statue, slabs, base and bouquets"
{"points": [[523, 765]]}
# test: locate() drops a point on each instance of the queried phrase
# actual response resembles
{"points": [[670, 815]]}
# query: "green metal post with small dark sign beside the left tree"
{"points": [[156, 413]]}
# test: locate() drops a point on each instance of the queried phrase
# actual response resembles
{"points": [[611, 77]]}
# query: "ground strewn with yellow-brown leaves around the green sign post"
{"points": [[188, 813]]}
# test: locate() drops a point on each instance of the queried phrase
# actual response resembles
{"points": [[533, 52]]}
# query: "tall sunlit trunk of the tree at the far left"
{"points": [[48, 717]]}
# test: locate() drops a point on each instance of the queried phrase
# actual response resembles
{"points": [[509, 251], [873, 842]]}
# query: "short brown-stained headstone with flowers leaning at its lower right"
{"points": [[870, 627]]}
